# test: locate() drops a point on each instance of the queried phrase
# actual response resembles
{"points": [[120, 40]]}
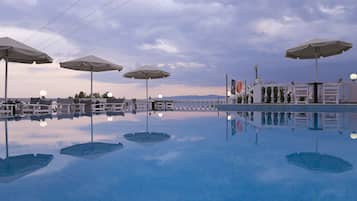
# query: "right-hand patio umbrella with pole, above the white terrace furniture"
{"points": [[316, 48]]}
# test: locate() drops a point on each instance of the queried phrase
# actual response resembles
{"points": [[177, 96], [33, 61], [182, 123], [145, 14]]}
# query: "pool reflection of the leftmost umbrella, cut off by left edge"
{"points": [[15, 167]]}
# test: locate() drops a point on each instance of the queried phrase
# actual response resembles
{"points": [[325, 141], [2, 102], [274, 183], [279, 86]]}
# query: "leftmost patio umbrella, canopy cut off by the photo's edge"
{"points": [[15, 51]]}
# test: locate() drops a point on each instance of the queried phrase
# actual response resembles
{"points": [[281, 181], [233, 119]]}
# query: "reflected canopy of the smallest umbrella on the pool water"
{"points": [[147, 137]]}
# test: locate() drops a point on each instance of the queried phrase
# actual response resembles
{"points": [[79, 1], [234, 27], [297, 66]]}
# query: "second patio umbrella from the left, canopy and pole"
{"points": [[91, 63]]}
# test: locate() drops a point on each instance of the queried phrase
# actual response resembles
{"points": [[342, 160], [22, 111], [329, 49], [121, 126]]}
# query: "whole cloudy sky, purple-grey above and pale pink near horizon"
{"points": [[198, 42]]}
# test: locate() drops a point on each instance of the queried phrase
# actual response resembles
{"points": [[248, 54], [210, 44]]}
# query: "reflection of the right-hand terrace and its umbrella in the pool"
{"points": [[314, 122]]}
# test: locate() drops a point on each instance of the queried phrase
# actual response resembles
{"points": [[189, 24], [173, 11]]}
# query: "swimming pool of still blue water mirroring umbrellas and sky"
{"points": [[192, 156]]}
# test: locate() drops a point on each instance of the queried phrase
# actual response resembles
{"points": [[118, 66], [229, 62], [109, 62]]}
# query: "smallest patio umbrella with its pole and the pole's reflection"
{"points": [[147, 72]]}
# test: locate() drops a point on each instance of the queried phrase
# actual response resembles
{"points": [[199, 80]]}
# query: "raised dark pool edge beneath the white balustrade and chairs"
{"points": [[289, 107]]}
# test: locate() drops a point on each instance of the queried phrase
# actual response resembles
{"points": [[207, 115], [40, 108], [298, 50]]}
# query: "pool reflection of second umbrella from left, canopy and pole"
{"points": [[91, 150]]}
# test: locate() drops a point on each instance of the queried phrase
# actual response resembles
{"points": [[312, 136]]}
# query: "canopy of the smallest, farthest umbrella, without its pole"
{"points": [[147, 72]]}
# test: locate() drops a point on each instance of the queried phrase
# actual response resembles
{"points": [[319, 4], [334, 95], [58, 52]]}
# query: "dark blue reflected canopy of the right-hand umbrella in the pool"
{"points": [[319, 162]]}
